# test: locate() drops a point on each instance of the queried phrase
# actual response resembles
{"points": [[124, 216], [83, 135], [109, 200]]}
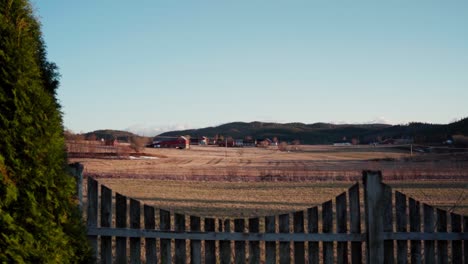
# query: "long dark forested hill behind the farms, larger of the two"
{"points": [[325, 133]]}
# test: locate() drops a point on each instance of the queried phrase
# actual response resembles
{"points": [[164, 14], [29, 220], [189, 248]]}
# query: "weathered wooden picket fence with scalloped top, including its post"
{"points": [[383, 228]]}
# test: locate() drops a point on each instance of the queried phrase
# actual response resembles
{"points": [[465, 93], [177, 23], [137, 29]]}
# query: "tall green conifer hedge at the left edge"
{"points": [[39, 219]]}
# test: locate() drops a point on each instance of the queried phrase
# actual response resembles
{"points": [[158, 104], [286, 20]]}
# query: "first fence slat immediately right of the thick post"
{"points": [[389, 256]]}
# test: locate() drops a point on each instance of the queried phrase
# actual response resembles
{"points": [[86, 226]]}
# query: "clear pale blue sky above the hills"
{"points": [[158, 65]]}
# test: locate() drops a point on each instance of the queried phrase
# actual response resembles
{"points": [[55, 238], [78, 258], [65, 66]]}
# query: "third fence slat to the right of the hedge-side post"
{"points": [[121, 222]]}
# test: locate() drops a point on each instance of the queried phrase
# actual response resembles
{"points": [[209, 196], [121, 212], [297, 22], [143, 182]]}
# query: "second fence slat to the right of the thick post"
{"points": [[401, 226]]}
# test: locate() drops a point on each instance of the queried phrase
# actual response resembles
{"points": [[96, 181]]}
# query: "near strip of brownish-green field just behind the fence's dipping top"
{"points": [[249, 199]]}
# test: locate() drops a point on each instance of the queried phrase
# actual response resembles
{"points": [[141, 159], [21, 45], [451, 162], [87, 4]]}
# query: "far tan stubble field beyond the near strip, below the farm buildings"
{"points": [[315, 163]]}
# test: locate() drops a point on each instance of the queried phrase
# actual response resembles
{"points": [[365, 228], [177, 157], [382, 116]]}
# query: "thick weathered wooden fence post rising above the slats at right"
{"points": [[373, 200]]}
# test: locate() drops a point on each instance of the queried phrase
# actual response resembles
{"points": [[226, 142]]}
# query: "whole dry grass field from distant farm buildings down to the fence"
{"points": [[213, 181]]}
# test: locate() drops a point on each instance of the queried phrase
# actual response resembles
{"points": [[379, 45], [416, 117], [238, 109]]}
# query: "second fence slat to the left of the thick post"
{"points": [[341, 227]]}
